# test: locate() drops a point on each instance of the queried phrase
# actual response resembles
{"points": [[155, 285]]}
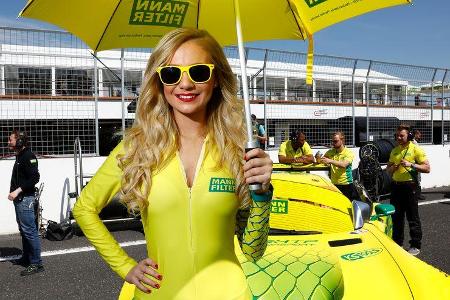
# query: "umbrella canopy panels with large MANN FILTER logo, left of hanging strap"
{"points": [[108, 24]]}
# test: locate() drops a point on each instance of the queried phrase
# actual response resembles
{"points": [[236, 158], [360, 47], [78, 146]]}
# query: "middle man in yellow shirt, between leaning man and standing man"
{"points": [[340, 159]]}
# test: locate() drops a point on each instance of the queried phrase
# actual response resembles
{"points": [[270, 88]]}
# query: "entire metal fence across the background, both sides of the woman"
{"points": [[53, 87]]}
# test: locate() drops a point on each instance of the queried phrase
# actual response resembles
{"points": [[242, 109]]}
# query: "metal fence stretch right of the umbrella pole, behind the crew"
{"points": [[365, 99]]}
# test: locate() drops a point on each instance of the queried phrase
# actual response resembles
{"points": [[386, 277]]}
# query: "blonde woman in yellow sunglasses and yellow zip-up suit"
{"points": [[182, 164]]}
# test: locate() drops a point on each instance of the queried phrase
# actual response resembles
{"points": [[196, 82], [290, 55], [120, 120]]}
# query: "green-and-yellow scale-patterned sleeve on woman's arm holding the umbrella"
{"points": [[252, 229]]}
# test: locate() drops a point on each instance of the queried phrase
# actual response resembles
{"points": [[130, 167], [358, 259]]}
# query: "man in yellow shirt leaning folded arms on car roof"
{"points": [[296, 149]]}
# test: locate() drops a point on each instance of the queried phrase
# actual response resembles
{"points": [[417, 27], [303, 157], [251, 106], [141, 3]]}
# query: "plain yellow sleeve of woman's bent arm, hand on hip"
{"points": [[96, 195]]}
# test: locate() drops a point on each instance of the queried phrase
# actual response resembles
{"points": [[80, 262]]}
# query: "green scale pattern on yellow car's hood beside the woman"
{"points": [[292, 271]]}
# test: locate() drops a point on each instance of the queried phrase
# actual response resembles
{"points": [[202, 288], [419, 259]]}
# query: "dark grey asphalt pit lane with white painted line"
{"points": [[76, 273]]}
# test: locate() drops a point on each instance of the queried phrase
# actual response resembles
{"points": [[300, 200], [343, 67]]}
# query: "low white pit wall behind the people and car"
{"points": [[58, 177]]}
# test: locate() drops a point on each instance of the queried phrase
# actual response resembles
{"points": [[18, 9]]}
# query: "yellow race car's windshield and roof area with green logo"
{"points": [[308, 204]]}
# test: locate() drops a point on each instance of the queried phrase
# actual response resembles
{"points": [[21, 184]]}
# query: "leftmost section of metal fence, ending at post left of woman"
{"points": [[46, 88]]}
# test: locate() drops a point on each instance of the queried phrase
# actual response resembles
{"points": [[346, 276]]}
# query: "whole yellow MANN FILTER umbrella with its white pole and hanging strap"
{"points": [[109, 24]]}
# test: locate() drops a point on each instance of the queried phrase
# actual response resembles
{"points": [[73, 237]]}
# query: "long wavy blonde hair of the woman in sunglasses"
{"points": [[154, 137]]}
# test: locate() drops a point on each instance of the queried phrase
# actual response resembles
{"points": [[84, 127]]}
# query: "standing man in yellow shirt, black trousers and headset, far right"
{"points": [[405, 162]]}
